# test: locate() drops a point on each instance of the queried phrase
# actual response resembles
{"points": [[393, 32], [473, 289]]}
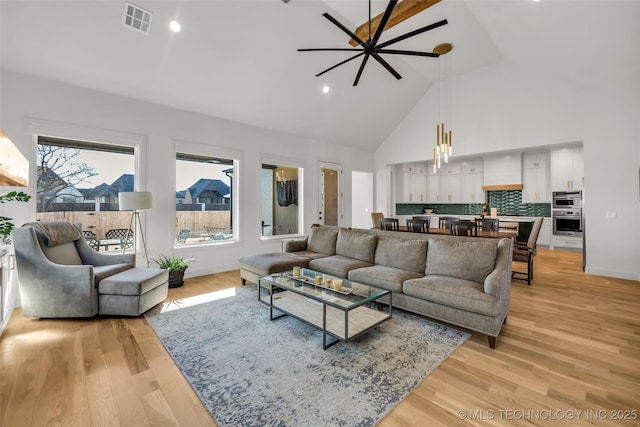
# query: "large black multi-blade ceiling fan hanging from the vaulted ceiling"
{"points": [[372, 48]]}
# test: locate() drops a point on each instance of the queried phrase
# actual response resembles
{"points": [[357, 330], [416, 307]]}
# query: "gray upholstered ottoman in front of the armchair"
{"points": [[133, 291]]}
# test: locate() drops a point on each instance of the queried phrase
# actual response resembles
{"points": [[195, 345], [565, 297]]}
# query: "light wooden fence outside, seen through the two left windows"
{"points": [[100, 222]]}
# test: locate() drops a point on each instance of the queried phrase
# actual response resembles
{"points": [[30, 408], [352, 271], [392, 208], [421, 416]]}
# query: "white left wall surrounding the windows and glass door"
{"points": [[25, 98]]}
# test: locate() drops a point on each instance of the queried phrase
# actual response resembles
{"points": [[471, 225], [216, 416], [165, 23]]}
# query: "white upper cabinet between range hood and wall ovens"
{"points": [[535, 177]]}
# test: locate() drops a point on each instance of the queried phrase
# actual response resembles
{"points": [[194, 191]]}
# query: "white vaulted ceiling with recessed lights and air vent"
{"points": [[238, 59]]}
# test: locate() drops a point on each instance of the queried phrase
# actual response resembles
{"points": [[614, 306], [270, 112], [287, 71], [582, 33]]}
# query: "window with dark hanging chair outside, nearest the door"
{"points": [[281, 189]]}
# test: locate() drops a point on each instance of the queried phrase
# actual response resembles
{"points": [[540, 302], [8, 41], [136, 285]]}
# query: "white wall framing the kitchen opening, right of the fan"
{"points": [[505, 108]]}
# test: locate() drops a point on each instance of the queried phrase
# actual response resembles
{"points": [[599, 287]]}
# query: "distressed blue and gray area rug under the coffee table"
{"points": [[251, 371]]}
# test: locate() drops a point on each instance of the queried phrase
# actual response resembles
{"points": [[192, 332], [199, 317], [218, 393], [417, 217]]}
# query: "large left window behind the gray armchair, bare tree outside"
{"points": [[79, 181]]}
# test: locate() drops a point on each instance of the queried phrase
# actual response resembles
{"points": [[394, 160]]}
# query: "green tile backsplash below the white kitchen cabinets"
{"points": [[507, 202]]}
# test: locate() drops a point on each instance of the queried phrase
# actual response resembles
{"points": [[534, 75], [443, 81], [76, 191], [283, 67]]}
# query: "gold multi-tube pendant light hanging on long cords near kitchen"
{"points": [[444, 137]]}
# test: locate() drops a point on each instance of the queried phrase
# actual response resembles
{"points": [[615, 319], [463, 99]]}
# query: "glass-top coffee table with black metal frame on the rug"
{"points": [[343, 314]]}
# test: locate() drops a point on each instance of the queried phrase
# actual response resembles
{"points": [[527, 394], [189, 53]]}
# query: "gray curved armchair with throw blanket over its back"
{"points": [[58, 272]]}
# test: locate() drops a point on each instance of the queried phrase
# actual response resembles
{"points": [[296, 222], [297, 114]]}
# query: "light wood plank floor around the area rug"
{"points": [[571, 343]]}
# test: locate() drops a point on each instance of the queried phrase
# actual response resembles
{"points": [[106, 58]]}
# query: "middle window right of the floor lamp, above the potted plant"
{"points": [[204, 199]]}
